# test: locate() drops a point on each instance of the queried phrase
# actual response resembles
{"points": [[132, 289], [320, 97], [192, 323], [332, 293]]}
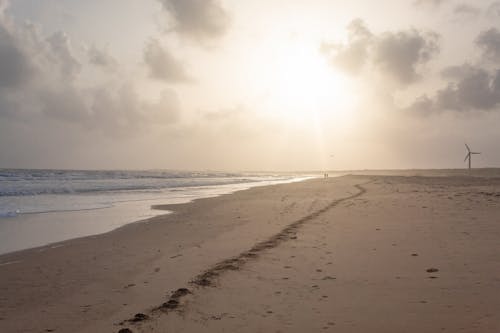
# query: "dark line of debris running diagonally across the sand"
{"points": [[208, 277]]}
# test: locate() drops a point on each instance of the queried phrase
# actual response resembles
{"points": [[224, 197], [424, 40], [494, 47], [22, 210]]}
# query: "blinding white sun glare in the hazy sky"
{"points": [[298, 82]]}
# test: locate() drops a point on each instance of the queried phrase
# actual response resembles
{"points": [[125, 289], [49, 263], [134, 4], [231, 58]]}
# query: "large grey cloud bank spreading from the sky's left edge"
{"points": [[40, 84]]}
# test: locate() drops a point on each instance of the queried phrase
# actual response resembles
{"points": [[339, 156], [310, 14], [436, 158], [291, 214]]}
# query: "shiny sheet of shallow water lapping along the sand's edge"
{"points": [[54, 227]]}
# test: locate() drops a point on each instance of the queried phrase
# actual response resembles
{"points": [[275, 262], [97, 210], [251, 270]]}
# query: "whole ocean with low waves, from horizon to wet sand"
{"points": [[40, 207]]}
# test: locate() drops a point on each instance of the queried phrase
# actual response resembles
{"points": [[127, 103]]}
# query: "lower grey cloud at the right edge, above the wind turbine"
{"points": [[470, 88]]}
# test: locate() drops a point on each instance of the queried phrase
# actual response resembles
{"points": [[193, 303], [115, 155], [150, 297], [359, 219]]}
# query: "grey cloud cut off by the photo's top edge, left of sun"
{"points": [[197, 19]]}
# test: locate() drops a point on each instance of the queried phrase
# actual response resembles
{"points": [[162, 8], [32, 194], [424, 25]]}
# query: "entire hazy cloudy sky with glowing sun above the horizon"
{"points": [[249, 85]]}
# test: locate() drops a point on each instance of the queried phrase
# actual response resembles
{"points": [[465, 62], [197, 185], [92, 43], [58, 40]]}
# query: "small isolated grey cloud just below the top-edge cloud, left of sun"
{"points": [[162, 65]]}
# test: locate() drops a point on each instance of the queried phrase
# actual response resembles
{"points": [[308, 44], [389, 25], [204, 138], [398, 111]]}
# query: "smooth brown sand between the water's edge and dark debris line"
{"points": [[121, 265]]}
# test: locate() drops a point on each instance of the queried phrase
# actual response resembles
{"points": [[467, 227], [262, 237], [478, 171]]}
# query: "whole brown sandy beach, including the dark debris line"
{"points": [[349, 254]]}
